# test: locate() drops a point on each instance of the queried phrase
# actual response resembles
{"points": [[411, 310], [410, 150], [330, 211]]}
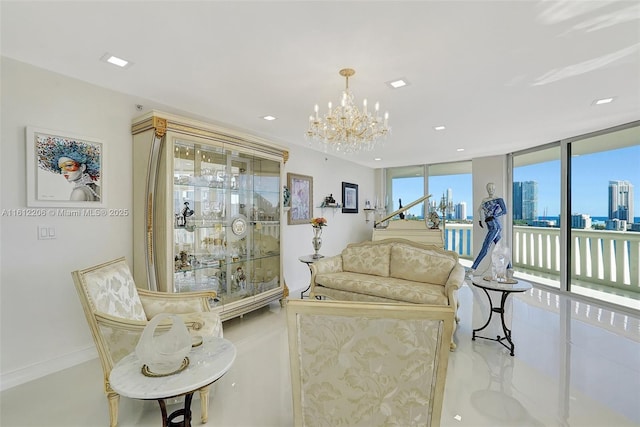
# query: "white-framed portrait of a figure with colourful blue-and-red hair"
{"points": [[64, 170]]}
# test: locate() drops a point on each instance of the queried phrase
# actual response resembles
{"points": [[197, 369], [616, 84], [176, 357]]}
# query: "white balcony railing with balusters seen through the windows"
{"points": [[600, 257]]}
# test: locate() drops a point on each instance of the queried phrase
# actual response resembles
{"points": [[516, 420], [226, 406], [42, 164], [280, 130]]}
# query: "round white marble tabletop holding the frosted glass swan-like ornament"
{"points": [[207, 363]]}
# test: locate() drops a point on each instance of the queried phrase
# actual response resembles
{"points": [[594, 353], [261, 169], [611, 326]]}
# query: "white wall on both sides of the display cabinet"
{"points": [[42, 326]]}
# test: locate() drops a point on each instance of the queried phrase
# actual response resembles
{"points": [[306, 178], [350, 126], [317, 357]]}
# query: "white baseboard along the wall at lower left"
{"points": [[39, 370]]}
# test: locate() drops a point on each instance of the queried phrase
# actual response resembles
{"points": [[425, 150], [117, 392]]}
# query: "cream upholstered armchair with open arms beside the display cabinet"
{"points": [[117, 313]]}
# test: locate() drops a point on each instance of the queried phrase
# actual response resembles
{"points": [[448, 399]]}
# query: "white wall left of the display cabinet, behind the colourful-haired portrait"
{"points": [[42, 326]]}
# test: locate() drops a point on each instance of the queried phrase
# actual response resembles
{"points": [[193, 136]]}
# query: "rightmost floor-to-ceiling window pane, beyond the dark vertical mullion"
{"points": [[604, 241]]}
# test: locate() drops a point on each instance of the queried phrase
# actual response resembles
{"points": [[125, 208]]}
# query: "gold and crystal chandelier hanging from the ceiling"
{"points": [[345, 128]]}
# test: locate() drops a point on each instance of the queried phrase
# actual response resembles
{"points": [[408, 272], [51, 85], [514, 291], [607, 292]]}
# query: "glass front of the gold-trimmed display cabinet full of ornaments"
{"points": [[226, 231]]}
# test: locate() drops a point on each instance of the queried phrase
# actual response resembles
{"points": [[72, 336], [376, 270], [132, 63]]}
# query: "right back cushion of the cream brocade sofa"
{"points": [[421, 265]]}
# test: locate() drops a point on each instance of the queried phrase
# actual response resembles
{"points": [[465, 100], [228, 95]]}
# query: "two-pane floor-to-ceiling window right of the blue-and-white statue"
{"points": [[574, 223]]}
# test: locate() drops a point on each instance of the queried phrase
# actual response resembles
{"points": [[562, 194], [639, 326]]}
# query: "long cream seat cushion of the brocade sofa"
{"points": [[384, 287]]}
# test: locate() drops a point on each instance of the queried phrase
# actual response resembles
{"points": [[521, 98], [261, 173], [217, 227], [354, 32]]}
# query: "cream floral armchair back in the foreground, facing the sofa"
{"points": [[368, 364]]}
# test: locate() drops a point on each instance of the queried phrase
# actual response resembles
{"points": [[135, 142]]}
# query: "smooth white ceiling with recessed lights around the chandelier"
{"points": [[500, 75]]}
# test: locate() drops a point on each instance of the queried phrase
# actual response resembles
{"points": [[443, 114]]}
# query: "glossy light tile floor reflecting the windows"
{"points": [[575, 365]]}
